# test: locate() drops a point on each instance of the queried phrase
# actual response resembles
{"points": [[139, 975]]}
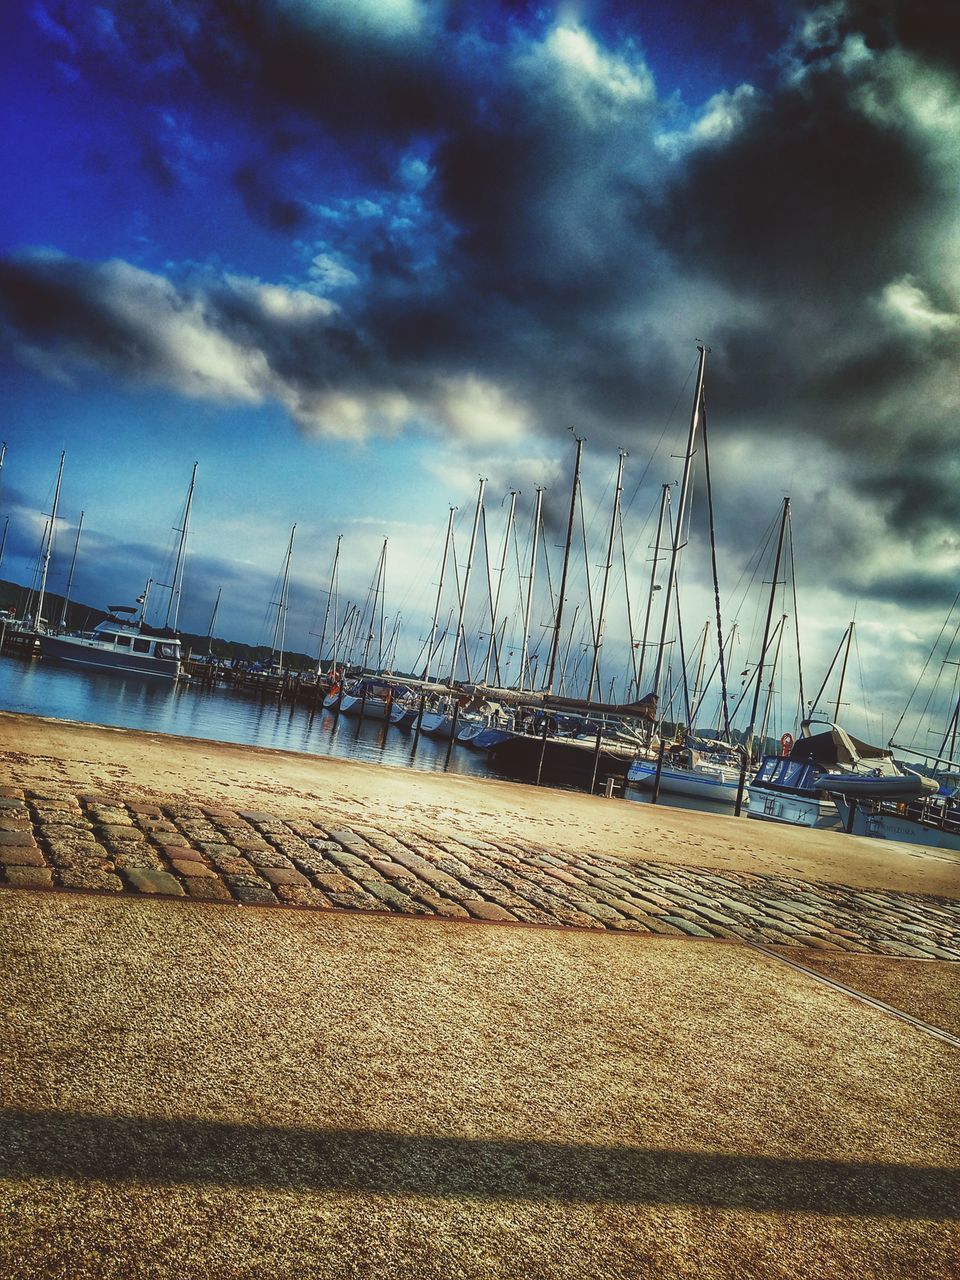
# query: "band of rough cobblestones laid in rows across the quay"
{"points": [[51, 838]]}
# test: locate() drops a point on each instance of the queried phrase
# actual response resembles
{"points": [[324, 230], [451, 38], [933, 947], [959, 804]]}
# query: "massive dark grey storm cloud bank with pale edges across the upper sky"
{"points": [[583, 234]]}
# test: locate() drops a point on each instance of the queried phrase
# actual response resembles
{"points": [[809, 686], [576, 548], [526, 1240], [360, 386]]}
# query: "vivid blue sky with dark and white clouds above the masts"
{"points": [[351, 259]]}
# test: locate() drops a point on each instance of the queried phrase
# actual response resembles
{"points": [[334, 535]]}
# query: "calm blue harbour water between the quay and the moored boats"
{"points": [[225, 715]]}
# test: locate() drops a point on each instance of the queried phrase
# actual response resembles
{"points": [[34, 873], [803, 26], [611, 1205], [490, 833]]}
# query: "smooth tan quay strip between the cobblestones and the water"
{"points": [[36, 751]]}
